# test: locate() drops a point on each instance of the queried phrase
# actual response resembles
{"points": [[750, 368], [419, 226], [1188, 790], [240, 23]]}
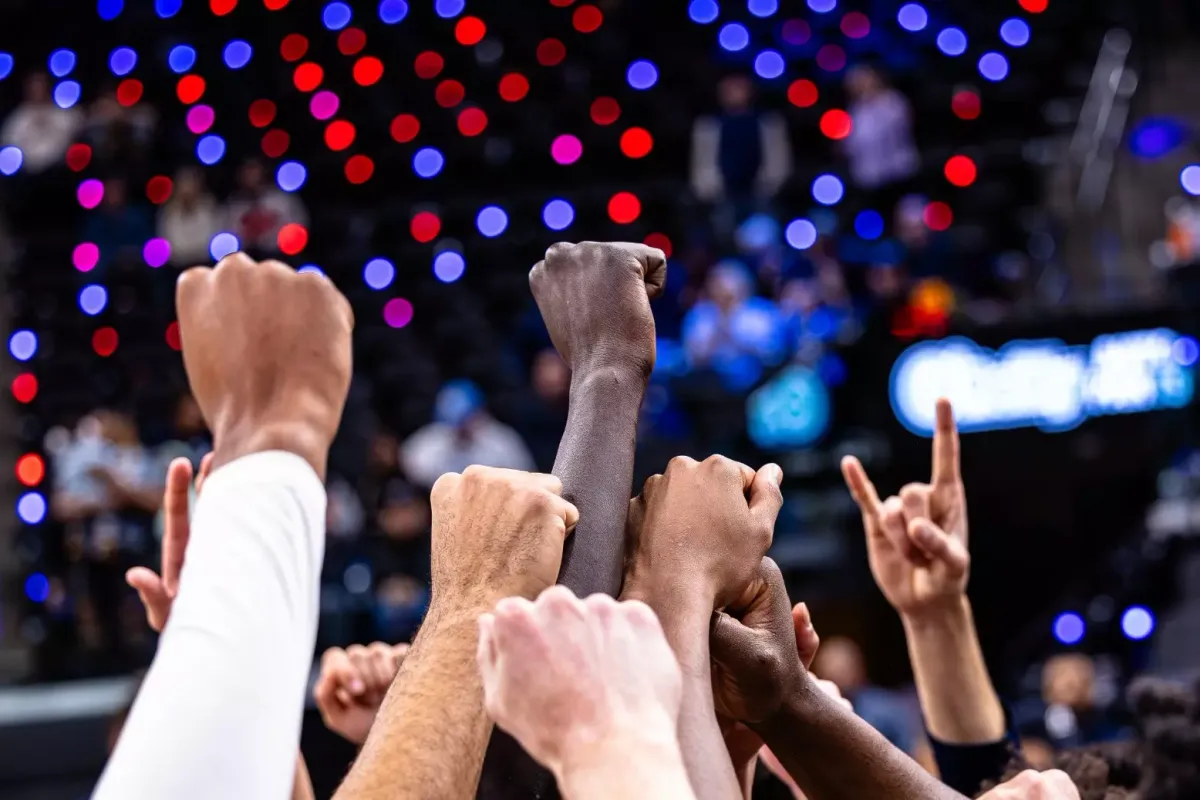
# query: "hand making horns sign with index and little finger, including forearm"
{"points": [[917, 544]]}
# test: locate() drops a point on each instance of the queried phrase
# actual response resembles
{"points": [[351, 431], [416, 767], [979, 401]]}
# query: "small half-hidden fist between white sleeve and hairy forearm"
{"points": [[352, 687]]}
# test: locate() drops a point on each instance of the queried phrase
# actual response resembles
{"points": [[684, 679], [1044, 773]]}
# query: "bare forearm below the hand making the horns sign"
{"points": [[957, 697]]}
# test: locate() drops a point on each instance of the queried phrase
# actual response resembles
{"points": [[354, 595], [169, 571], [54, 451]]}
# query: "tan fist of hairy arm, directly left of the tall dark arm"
{"points": [[497, 533]]}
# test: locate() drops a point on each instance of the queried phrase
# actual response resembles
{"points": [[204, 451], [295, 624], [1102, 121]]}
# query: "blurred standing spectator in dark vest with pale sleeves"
{"points": [[742, 157]]}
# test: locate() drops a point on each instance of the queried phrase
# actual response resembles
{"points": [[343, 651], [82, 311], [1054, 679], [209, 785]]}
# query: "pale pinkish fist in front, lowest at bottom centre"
{"points": [[574, 679]]}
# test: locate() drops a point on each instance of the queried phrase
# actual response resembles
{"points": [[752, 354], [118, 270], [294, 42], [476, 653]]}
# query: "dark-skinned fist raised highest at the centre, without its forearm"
{"points": [[595, 298]]}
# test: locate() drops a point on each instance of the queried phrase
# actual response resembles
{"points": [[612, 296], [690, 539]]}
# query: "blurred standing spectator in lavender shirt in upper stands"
{"points": [[880, 148]]}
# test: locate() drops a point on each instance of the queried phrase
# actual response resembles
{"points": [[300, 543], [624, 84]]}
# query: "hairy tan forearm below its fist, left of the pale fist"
{"points": [[428, 741]]}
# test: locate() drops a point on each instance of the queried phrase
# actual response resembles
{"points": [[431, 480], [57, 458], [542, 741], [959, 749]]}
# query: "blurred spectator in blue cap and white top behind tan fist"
{"points": [[464, 434]]}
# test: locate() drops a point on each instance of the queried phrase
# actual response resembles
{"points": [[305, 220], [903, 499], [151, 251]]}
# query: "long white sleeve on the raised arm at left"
{"points": [[219, 714]]}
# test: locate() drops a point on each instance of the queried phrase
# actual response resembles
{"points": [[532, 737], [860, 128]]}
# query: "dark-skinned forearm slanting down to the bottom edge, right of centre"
{"points": [[835, 755]]}
